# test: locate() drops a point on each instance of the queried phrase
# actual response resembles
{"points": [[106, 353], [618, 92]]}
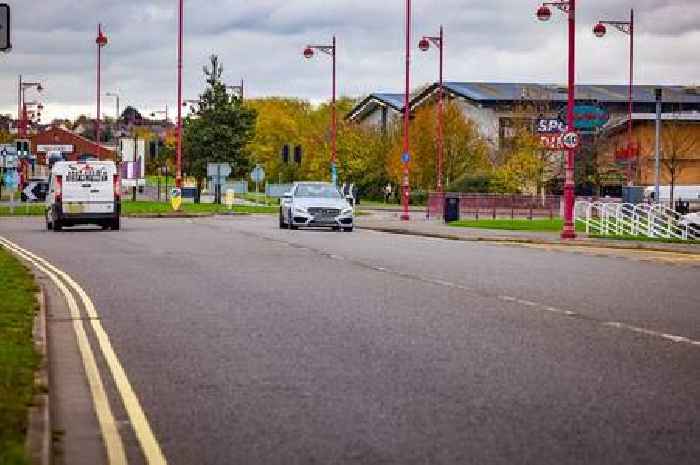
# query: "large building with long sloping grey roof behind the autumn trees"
{"points": [[497, 108]]}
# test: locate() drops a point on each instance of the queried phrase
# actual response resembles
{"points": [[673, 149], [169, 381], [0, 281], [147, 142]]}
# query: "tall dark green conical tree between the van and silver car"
{"points": [[219, 131]]}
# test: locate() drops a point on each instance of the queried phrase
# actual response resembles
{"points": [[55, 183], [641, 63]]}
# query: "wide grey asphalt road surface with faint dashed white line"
{"points": [[251, 345]]}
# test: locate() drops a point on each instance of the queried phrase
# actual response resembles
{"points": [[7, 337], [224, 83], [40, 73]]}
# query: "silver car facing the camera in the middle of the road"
{"points": [[315, 204]]}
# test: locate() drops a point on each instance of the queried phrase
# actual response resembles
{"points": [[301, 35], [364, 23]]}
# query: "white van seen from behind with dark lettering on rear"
{"points": [[83, 193]]}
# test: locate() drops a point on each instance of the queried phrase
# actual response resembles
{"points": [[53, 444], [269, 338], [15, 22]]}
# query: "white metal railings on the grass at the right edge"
{"points": [[626, 219]]}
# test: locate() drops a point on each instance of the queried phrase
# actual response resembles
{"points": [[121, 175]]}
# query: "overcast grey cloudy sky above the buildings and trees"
{"points": [[262, 40]]}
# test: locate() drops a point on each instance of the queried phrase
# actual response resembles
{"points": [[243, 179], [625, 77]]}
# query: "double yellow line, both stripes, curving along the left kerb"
{"points": [[110, 432]]}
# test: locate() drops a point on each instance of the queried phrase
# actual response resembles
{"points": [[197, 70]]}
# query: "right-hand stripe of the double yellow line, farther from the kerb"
{"points": [[144, 433]]}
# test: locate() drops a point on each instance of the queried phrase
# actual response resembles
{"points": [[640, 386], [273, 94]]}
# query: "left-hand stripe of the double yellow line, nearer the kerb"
{"points": [[114, 446]]}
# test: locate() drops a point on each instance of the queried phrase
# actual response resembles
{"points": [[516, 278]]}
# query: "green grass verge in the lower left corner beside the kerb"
{"points": [[18, 359]]}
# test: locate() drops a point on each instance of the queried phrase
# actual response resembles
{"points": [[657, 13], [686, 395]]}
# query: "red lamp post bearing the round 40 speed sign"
{"points": [[544, 13]]}
